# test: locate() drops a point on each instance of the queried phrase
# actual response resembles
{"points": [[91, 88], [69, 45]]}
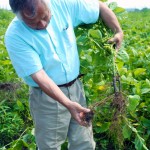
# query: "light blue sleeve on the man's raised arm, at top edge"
{"points": [[83, 11]]}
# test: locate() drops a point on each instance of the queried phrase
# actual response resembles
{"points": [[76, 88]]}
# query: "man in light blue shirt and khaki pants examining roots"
{"points": [[42, 47]]}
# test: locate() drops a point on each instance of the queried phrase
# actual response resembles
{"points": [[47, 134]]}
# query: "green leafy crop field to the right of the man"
{"points": [[133, 65]]}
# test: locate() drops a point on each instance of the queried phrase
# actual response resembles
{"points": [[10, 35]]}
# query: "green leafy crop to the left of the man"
{"points": [[14, 111]]}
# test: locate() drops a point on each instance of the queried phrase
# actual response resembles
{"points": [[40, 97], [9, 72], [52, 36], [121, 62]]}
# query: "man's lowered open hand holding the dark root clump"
{"points": [[78, 113]]}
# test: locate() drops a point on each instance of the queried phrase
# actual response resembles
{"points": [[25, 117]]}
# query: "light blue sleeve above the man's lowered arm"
{"points": [[24, 58]]}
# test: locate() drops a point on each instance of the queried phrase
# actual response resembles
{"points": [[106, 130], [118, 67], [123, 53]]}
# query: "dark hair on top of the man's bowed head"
{"points": [[20, 5]]}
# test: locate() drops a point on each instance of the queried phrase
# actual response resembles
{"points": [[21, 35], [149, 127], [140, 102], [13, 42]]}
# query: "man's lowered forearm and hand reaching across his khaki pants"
{"points": [[51, 89]]}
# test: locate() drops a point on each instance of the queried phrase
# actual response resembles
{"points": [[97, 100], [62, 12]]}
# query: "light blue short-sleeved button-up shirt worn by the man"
{"points": [[53, 49]]}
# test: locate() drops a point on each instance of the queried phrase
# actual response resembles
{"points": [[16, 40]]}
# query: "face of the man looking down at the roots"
{"points": [[40, 20]]}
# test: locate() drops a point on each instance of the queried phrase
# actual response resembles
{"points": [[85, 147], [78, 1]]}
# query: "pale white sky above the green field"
{"points": [[123, 3]]}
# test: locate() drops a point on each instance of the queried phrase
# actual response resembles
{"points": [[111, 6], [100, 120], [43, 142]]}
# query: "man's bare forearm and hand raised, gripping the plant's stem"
{"points": [[111, 21]]}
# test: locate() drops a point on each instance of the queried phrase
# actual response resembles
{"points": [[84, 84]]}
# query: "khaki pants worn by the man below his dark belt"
{"points": [[53, 122]]}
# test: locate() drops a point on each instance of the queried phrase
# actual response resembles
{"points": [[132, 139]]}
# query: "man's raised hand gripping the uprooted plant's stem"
{"points": [[117, 40]]}
